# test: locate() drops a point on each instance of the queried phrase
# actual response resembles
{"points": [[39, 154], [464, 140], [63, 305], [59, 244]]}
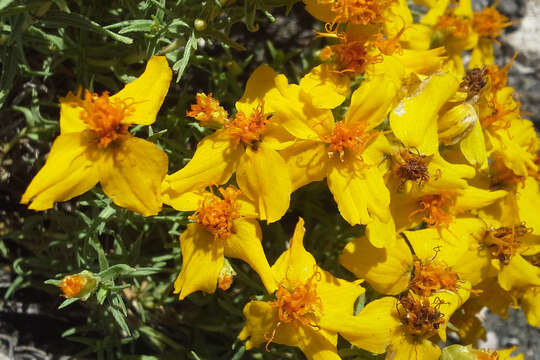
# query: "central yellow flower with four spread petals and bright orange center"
{"points": [[348, 153]]}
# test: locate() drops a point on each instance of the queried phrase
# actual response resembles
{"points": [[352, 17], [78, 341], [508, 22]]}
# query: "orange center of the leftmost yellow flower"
{"points": [[103, 116]]}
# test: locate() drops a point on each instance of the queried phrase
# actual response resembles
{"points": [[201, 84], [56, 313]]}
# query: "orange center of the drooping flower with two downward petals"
{"points": [[216, 214]]}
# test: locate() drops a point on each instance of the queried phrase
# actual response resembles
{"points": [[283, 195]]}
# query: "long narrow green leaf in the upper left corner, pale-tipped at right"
{"points": [[62, 19]]}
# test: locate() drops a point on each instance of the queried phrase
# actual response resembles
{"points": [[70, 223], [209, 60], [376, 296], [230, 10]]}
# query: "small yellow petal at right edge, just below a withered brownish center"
{"points": [[519, 273]]}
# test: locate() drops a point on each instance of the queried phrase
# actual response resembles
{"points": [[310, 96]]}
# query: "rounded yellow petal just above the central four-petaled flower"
{"points": [[324, 88]]}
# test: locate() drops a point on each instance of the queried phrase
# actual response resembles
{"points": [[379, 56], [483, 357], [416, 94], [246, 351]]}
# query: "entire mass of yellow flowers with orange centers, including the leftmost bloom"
{"points": [[435, 160]]}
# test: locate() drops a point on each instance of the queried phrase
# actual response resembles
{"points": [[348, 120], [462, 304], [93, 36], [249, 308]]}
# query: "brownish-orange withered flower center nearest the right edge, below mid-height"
{"points": [[504, 242]]}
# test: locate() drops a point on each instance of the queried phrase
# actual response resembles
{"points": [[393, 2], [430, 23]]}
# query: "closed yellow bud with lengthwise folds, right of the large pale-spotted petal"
{"points": [[456, 123]]}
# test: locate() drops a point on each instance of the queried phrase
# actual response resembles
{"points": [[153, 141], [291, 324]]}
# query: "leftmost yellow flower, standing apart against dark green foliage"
{"points": [[94, 146]]}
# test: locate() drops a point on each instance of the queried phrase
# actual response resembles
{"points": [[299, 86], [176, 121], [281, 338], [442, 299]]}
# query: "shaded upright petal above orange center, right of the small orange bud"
{"points": [[258, 84]]}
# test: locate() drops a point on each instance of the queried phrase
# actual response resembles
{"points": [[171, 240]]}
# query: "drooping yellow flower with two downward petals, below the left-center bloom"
{"points": [[223, 226]]}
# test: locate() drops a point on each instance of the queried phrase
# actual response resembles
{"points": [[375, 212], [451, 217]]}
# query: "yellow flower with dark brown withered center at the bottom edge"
{"points": [[403, 327]]}
